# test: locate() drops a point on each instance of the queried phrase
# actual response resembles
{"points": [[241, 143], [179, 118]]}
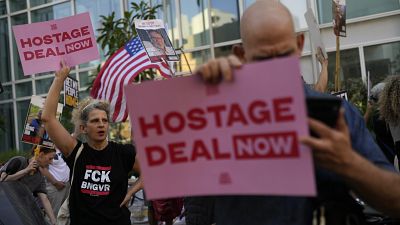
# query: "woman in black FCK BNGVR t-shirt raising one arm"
{"points": [[100, 179]]}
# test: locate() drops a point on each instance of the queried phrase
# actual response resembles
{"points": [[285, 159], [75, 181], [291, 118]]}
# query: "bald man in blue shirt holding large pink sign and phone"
{"points": [[267, 32]]}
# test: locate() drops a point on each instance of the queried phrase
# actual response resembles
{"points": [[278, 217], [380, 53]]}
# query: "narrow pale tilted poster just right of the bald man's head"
{"points": [[315, 33]]}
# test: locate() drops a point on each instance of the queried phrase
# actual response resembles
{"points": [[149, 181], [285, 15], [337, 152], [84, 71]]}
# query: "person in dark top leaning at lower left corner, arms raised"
{"points": [[26, 171]]}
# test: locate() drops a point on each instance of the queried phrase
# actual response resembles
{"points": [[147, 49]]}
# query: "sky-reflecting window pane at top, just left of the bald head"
{"points": [[225, 20]]}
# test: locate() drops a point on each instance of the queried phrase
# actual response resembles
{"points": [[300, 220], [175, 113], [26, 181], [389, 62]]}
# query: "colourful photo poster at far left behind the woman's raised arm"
{"points": [[34, 131]]}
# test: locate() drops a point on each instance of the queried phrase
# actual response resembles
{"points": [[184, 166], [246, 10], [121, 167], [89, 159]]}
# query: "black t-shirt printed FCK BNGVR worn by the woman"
{"points": [[100, 184]]}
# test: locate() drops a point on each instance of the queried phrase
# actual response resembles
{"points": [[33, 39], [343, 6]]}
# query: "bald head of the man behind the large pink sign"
{"points": [[267, 31]]}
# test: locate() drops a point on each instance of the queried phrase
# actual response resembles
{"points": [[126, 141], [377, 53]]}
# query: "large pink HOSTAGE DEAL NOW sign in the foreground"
{"points": [[235, 138]]}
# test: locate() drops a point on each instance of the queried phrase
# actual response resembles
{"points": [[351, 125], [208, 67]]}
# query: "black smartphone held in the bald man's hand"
{"points": [[324, 108]]}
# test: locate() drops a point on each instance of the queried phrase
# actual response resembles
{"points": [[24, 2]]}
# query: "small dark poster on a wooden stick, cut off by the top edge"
{"points": [[339, 17]]}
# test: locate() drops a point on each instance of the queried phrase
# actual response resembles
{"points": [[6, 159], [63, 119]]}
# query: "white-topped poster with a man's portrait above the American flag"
{"points": [[155, 40]]}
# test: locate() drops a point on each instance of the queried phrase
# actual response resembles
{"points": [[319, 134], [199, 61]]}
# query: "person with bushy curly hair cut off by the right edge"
{"points": [[389, 108]]}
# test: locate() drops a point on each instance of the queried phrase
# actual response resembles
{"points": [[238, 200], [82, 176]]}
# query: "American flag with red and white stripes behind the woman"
{"points": [[119, 70]]}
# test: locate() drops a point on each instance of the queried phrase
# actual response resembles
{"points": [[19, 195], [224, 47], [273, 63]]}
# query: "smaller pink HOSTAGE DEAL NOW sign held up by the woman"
{"points": [[41, 46]]}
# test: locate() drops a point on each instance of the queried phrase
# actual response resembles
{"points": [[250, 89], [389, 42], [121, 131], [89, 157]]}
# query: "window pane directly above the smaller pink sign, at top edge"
{"points": [[52, 12]]}
